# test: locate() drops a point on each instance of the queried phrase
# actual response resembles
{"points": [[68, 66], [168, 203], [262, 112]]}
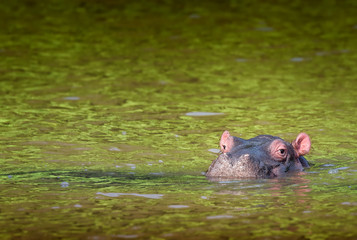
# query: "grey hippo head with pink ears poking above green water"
{"points": [[264, 156]]}
